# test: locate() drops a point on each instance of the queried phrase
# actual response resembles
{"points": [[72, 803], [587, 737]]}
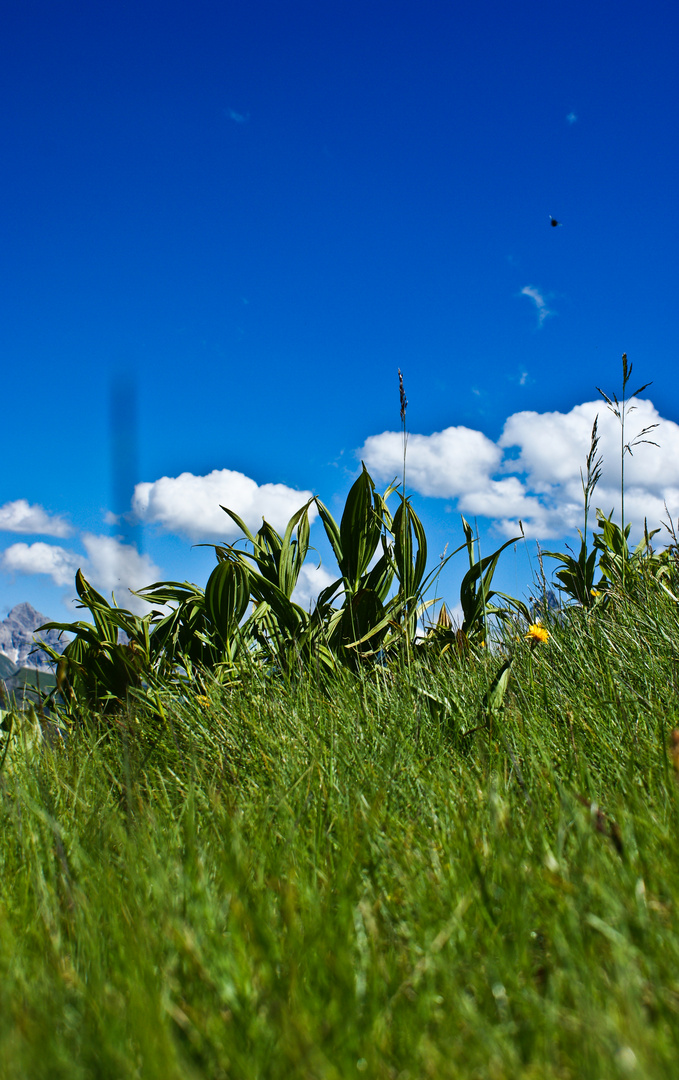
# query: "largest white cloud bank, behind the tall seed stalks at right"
{"points": [[533, 472]]}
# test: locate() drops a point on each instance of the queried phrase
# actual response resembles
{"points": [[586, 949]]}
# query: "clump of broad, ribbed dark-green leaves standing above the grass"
{"points": [[247, 616]]}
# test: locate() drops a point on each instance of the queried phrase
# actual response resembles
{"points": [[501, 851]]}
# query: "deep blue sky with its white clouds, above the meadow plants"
{"points": [[225, 227]]}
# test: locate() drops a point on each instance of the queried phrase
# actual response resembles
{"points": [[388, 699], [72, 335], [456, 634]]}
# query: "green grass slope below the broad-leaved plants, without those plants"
{"points": [[363, 883]]}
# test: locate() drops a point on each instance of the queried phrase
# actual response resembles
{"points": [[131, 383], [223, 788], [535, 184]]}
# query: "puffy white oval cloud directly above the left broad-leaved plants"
{"points": [[192, 506]]}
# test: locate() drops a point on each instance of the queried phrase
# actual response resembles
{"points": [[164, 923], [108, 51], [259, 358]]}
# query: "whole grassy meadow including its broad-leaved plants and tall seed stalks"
{"points": [[240, 840]]}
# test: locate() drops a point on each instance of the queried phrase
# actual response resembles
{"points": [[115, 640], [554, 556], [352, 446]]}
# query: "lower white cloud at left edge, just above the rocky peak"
{"points": [[110, 565]]}
